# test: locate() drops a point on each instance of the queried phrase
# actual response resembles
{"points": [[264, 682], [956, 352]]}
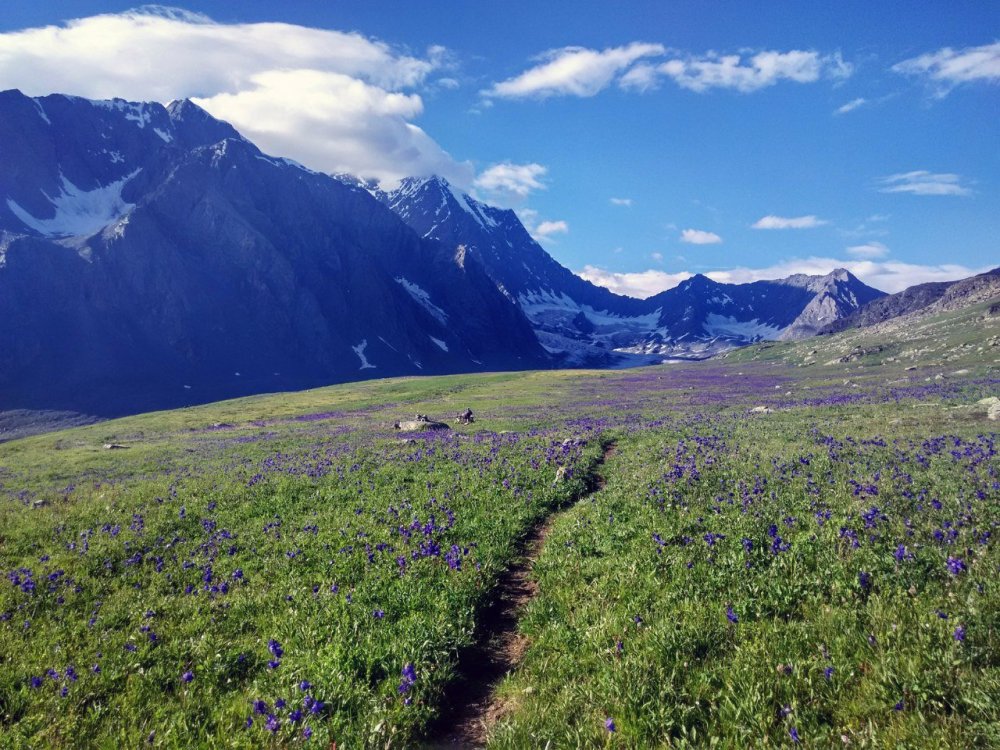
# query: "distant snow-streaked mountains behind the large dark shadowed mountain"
{"points": [[584, 324]]}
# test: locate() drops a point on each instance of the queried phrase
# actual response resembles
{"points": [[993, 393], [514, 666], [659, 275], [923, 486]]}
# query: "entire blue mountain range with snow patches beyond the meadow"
{"points": [[152, 257]]}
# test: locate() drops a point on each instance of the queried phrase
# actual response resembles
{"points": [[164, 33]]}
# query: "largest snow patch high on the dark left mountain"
{"points": [[78, 212]]}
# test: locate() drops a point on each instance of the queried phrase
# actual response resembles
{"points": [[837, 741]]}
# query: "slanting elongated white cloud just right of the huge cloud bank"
{"points": [[575, 71]]}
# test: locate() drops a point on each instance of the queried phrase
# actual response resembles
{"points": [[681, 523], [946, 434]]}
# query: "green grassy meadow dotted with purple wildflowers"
{"points": [[790, 548]]}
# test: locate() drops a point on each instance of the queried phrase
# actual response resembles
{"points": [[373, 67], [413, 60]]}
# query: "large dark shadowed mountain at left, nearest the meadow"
{"points": [[150, 256]]}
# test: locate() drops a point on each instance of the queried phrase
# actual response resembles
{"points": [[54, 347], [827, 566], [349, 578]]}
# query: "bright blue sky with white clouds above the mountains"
{"points": [[640, 142]]}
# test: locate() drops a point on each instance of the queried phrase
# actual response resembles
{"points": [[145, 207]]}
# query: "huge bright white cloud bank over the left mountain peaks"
{"points": [[332, 100]]}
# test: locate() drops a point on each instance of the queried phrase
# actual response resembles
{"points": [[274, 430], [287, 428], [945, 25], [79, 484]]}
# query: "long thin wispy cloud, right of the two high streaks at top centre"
{"points": [[748, 74]]}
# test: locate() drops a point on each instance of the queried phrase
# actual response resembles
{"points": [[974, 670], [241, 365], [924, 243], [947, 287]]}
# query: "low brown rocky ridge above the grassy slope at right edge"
{"points": [[930, 298]]}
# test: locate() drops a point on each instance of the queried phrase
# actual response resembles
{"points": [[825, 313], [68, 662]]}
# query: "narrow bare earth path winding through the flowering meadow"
{"points": [[474, 706]]}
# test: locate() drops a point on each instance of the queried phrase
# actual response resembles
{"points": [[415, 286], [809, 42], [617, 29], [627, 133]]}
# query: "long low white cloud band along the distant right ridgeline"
{"points": [[889, 276]]}
